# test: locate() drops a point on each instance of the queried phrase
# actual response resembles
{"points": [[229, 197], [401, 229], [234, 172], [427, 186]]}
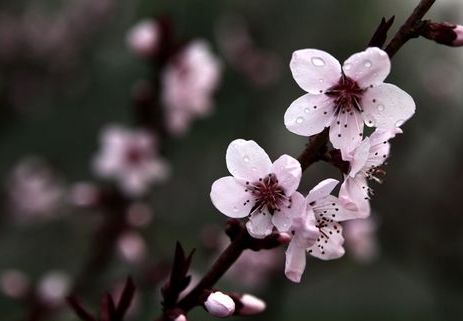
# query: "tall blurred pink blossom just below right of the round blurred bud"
{"points": [[189, 81]]}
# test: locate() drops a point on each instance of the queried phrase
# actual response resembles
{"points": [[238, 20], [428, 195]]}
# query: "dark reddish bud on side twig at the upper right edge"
{"points": [[444, 33]]}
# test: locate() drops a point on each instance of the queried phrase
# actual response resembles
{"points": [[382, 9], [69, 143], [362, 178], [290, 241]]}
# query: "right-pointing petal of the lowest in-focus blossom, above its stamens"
{"points": [[332, 208]]}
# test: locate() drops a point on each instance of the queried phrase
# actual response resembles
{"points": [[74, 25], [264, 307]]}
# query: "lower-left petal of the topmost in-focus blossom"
{"points": [[309, 114]]}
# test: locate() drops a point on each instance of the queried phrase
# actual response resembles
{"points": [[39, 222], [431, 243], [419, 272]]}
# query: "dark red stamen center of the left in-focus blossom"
{"points": [[268, 194]]}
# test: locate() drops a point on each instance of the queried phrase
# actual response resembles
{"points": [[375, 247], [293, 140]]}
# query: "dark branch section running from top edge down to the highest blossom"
{"points": [[410, 28]]}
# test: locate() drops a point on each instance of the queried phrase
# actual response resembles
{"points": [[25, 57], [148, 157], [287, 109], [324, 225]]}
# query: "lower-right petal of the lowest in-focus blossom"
{"points": [[329, 244]]}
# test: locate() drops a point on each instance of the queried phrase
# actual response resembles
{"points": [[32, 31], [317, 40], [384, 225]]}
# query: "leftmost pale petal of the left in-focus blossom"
{"points": [[230, 197]]}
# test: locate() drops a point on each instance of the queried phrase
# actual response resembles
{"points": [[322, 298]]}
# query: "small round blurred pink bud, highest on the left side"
{"points": [[143, 38]]}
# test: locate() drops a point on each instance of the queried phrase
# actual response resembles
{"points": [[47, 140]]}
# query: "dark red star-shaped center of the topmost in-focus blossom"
{"points": [[346, 95]]}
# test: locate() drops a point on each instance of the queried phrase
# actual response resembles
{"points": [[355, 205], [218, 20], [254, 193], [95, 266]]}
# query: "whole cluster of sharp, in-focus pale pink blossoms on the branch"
{"points": [[343, 98]]}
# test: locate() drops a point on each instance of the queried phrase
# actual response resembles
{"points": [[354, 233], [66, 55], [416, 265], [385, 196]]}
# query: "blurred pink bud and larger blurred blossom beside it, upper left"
{"points": [[189, 77]]}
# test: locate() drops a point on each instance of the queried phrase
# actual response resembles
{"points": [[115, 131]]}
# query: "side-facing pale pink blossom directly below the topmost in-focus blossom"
{"points": [[365, 162]]}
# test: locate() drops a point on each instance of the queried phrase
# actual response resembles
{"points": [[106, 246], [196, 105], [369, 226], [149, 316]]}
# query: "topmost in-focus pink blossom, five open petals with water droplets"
{"points": [[344, 98]]}
